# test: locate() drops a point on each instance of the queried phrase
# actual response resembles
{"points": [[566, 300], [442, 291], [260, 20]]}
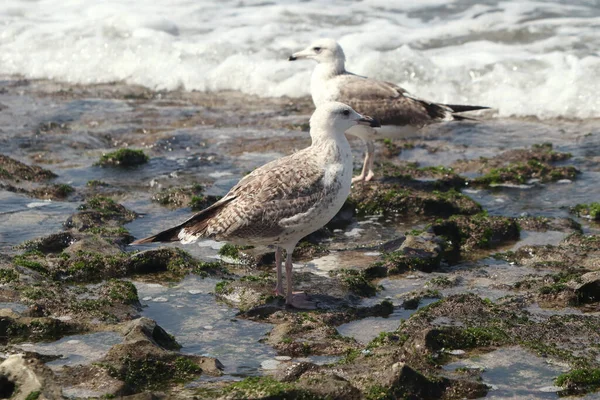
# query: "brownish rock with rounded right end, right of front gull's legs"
{"points": [[423, 253]]}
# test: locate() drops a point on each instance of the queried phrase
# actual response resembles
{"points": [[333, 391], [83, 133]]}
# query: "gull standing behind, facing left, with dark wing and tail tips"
{"points": [[400, 113]]}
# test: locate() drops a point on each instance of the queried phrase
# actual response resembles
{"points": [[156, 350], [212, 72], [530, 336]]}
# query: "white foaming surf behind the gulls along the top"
{"points": [[522, 57]]}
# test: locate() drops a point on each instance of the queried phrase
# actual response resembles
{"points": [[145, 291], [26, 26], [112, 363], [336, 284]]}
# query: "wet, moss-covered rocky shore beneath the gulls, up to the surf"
{"points": [[83, 279]]}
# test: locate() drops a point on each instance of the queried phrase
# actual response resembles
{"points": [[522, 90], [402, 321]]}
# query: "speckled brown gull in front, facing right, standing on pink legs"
{"points": [[283, 201]]}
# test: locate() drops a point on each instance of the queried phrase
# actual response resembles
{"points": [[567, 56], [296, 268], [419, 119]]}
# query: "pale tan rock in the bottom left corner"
{"points": [[27, 378]]}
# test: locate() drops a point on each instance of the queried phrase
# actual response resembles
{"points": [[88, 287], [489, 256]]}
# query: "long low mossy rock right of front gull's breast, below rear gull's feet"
{"points": [[386, 198]]}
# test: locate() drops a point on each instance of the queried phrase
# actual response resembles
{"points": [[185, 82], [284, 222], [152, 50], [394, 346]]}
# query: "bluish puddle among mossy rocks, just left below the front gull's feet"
{"points": [[188, 311]]}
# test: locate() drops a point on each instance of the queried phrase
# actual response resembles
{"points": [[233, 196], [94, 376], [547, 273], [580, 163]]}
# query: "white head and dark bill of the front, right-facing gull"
{"points": [[336, 118]]}
